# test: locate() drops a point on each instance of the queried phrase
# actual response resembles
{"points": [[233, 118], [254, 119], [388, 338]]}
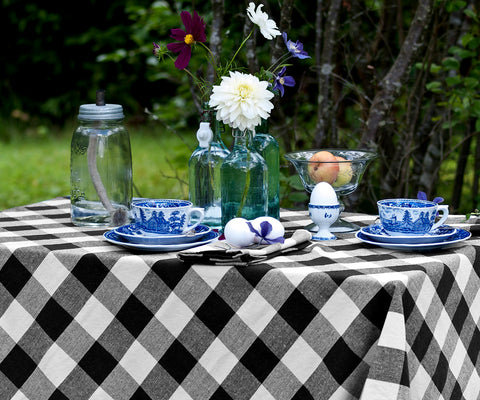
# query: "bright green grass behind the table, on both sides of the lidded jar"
{"points": [[36, 168]]}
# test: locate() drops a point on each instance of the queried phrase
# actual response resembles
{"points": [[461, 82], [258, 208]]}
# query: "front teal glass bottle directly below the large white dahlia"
{"points": [[243, 180]]}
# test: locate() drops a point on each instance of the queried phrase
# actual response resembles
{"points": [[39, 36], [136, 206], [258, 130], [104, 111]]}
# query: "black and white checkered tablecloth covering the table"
{"points": [[83, 319]]}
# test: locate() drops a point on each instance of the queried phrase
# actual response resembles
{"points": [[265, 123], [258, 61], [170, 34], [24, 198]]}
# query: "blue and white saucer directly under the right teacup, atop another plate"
{"points": [[378, 233]]}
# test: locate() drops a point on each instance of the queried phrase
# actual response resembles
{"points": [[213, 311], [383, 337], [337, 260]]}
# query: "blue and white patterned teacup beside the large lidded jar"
{"points": [[166, 216]]}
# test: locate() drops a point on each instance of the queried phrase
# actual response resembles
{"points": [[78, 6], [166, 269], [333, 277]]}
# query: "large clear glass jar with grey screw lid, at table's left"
{"points": [[100, 167]]}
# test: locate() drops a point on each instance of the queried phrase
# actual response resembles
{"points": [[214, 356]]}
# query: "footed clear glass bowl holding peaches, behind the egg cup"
{"points": [[344, 172]]}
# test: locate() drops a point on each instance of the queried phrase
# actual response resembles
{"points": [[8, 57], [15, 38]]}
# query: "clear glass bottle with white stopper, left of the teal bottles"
{"points": [[204, 170]]}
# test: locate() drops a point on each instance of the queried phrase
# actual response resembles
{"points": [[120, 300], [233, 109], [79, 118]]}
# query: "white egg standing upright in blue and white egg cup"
{"points": [[324, 210]]}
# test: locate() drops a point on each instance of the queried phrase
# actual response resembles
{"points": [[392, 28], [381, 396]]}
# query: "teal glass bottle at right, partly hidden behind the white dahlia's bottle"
{"points": [[267, 146]]}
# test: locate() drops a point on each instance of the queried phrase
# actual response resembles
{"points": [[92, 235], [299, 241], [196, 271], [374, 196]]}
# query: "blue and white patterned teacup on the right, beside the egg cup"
{"points": [[410, 216]]}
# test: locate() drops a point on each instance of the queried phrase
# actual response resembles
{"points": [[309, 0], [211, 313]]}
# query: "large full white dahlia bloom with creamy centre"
{"points": [[241, 100]]}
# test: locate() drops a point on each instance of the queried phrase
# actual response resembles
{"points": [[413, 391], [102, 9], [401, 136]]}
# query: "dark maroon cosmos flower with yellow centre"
{"points": [[194, 32]]}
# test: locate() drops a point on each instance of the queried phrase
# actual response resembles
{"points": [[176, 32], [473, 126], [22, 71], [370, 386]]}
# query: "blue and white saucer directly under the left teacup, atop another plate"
{"points": [[134, 234]]}
